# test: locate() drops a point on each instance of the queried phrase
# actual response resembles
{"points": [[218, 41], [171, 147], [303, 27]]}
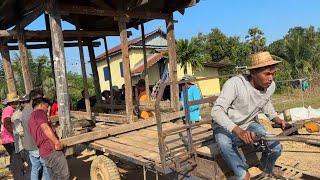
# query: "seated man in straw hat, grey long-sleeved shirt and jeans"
{"points": [[235, 113]]}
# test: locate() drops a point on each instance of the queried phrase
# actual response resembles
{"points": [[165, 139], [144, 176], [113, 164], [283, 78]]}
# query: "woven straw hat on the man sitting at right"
{"points": [[261, 59]]}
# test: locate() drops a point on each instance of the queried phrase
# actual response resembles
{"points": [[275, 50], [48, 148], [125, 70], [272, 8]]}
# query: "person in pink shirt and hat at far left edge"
{"points": [[6, 127]]}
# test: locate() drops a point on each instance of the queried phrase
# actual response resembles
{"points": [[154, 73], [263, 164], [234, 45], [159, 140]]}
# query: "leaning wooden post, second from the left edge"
{"points": [[28, 85]]}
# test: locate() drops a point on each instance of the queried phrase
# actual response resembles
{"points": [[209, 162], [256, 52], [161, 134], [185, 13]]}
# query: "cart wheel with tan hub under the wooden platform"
{"points": [[103, 168]]}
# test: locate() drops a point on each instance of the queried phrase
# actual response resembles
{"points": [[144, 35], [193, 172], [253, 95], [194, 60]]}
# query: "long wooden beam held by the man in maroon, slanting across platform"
{"points": [[91, 136]]}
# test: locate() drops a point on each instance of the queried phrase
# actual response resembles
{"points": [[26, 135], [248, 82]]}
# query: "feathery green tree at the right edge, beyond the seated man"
{"points": [[300, 49]]}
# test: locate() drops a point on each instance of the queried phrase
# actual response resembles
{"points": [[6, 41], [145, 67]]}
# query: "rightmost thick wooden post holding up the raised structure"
{"points": [[174, 90]]}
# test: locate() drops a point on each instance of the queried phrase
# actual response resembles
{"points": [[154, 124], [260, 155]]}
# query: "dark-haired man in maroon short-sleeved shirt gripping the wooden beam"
{"points": [[49, 145]]}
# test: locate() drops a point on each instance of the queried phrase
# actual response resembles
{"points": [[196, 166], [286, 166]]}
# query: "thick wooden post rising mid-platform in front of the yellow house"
{"points": [[126, 67]]}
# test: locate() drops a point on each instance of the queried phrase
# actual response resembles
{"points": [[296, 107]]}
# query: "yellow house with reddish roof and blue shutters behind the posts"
{"points": [[155, 43]]}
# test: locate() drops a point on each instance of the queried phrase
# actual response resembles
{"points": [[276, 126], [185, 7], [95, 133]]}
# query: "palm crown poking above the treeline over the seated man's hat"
{"points": [[256, 39]]}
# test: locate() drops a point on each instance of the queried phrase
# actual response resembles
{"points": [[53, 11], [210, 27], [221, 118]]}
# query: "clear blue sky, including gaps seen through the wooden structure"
{"points": [[232, 17]]}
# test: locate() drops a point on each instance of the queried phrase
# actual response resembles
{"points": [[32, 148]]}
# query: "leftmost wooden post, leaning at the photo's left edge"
{"points": [[7, 68]]}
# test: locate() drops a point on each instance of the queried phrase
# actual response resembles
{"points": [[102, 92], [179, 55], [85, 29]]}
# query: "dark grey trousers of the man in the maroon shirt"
{"points": [[57, 166]]}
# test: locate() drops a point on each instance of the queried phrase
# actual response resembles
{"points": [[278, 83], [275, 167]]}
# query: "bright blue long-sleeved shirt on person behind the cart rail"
{"points": [[194, 110]]}
